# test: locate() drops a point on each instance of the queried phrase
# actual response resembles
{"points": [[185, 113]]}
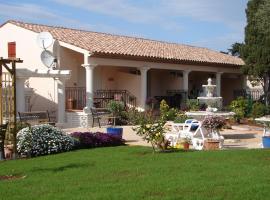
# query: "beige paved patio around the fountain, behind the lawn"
{"points": [[239, 137]]}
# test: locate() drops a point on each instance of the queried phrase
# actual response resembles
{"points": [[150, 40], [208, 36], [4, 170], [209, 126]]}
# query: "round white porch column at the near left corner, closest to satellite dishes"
{"points": [[89, 86]]}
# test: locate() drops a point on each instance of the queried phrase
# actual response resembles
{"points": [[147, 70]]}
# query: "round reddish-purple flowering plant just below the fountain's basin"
{"points": [[213, 123]]}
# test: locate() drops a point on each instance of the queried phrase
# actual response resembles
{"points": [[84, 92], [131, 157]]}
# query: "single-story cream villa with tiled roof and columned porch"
{"points": [[93, 68]]}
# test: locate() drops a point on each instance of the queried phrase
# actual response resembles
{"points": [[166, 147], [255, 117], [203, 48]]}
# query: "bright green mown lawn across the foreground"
{"points": [[135, 173]]}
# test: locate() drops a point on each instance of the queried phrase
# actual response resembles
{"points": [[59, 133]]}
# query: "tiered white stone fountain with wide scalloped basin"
{"points": [[213, 103]]}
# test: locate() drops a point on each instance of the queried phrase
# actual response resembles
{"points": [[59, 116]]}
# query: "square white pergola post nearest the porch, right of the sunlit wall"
{"points": [[61, 103]]}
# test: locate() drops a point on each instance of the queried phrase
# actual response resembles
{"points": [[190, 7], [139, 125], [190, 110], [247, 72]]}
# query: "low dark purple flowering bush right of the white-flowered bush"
{"points": [[91, 140]]}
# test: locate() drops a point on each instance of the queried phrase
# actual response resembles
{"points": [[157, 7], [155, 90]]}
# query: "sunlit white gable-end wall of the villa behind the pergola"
{"points": [[28, 50]]}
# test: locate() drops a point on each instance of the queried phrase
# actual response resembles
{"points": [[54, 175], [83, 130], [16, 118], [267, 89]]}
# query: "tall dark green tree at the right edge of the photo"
{"points": [[256, 49]]}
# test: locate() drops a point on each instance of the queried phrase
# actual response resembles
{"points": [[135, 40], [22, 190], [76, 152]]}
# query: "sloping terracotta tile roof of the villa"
{"points": [[103, 43]]}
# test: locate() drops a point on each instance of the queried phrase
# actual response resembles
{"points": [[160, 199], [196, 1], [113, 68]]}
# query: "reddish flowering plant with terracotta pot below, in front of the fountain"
{"points": [[213, 124]]}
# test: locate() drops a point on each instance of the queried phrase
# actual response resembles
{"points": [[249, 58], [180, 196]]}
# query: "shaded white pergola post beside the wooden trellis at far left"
{"points": [[20, 94]]}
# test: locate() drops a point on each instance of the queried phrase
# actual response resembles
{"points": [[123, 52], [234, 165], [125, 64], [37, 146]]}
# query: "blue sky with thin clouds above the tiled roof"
{"points": [[215, 24]]}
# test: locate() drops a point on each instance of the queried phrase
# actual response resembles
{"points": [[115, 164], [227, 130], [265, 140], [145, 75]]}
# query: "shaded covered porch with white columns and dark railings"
{"points": [[97, 80]]}
